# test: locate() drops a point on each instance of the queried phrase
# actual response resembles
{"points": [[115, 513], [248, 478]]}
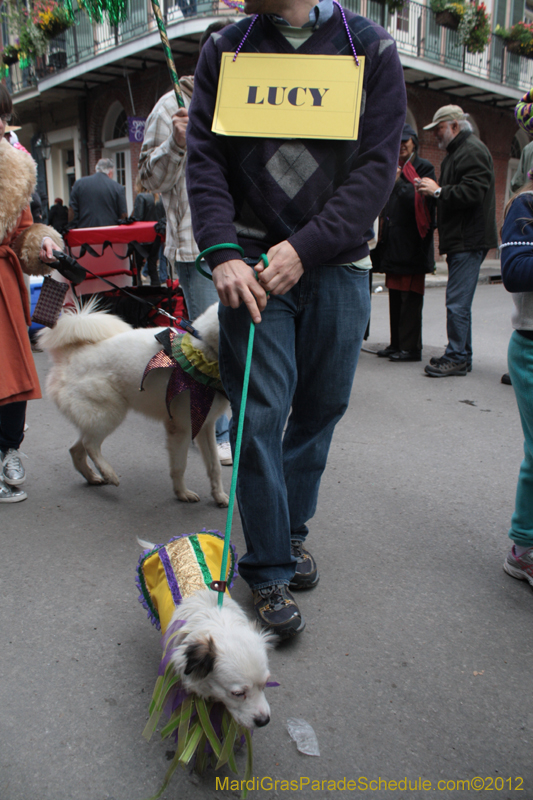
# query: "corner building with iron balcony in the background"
{"points": [[88, 96]]}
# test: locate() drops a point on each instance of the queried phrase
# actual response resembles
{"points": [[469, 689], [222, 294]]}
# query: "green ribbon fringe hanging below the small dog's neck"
{"points": [[191, 720]]}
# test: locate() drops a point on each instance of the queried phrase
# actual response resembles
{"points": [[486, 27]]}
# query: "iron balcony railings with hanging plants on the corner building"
{"points": [[414, 27]]}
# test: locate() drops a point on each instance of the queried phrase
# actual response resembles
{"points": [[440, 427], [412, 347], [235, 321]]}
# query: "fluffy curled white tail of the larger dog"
{"points": [[81, 325]]}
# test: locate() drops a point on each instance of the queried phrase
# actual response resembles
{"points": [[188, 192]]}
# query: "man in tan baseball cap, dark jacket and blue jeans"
{"points": [[466, 220]]}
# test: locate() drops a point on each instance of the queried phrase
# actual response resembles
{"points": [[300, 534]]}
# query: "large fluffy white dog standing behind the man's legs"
{"points": [[99, 362]]}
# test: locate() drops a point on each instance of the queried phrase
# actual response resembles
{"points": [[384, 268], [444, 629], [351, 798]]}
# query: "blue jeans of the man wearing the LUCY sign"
{"points": [[305, 354]]}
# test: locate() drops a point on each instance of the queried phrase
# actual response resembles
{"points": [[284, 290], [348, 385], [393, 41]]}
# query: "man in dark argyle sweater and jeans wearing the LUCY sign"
{"points": [[309, 204]]}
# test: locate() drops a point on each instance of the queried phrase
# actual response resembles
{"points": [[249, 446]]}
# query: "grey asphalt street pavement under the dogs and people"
{"points": [[417, 656]]}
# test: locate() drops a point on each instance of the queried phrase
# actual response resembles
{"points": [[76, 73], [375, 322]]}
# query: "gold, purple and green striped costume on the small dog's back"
{"points": [[171, 572]]}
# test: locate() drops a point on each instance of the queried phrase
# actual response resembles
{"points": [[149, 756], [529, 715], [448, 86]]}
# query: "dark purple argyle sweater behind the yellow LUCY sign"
{"points": [[321, 195]]}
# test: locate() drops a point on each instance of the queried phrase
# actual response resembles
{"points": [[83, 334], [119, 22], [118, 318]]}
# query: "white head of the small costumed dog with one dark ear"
{"points": [[220, 655]]}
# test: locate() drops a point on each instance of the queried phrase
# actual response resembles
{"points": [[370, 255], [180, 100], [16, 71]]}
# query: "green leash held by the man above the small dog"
{"points": [[240, 426]]}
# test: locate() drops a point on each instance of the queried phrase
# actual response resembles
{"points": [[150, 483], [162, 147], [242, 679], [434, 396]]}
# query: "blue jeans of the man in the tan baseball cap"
{"points": [[463, 274]]}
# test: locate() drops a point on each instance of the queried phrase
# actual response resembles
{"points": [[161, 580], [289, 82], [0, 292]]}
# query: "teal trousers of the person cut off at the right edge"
{"points": [[520, 357]]}
